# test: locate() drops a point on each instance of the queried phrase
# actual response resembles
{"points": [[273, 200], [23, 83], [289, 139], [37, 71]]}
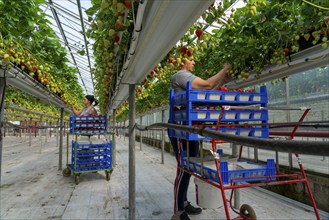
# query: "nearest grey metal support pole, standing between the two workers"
{"points": [[132, 178]]}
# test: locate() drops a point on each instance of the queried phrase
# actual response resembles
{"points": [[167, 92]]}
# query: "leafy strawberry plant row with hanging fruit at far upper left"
{"points": [[28, 42]]}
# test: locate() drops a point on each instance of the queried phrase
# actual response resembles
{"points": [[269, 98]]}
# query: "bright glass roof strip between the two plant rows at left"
{"points": [[69, 21]]}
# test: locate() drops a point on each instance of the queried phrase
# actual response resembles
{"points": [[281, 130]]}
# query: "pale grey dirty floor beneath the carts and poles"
{"points": [[32, 187]]}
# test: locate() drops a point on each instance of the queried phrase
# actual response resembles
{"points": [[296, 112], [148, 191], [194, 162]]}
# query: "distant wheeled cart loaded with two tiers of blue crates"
{"points": [[89, 155]]}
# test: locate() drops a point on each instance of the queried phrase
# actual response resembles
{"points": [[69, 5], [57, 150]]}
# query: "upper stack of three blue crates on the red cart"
{"points": [[203, 107]]}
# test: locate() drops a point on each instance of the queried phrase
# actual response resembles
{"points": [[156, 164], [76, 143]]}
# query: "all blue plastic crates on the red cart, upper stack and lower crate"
{"points": [[203, 108]]}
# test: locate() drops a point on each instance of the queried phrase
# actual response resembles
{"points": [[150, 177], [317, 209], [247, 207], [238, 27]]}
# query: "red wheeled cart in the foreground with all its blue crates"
{"points": [[233, 113]]}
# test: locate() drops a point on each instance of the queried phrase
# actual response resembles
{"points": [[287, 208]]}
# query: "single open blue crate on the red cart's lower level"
{"points": [[264, 173]]}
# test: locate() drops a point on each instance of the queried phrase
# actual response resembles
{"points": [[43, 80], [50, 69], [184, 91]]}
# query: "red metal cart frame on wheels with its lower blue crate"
{"points": [[245, 178]]}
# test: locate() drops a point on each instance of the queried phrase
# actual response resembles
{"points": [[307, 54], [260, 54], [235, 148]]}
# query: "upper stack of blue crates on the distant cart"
{"points": [[88, 124]]}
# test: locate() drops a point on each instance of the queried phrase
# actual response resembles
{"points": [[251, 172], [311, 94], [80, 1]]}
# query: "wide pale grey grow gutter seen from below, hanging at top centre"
{"points": [[164, 23]]}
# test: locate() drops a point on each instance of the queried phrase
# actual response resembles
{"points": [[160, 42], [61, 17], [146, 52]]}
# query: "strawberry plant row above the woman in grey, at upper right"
{"points": [[261, 33]]}
